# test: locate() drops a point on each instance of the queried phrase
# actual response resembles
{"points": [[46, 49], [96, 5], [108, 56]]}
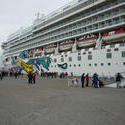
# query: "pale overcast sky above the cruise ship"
{"points": [[21, 13]]}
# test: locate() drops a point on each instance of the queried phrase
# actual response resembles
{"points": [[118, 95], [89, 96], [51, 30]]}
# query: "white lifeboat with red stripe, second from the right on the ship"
{"points": [[87, 40]]}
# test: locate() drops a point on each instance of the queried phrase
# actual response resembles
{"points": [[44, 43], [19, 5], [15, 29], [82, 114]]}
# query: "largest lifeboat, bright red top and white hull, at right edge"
{"points": [[114, 35]]}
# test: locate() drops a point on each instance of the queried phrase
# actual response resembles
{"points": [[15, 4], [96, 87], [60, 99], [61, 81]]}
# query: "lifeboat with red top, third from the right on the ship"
{"points": [[66, 45]]}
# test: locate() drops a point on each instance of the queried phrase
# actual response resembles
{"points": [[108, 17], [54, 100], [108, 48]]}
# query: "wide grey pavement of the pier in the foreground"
{"points": [[51, 102]]}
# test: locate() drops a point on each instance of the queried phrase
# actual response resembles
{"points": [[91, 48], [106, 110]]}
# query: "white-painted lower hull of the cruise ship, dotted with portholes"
{"points": [[99, 62]]}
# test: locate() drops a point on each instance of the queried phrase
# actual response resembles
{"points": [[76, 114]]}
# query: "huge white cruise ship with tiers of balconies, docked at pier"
{"points": [[84, 36]]}
